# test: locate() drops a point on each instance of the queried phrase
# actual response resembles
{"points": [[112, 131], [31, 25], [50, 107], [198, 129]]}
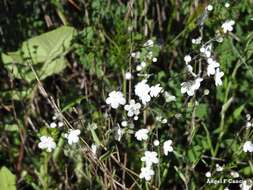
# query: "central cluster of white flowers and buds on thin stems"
{"points": [[145, 93]]}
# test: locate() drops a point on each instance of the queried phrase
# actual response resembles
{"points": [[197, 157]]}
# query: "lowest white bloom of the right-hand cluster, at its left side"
{"points": [[190, 86]]}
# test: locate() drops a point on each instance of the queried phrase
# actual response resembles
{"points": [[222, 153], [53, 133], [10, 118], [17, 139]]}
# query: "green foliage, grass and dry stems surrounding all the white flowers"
{"points": [[72, 69]]}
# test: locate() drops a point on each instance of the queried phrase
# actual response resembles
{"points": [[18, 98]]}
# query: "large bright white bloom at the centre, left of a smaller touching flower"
{"points": [[142, 90]]}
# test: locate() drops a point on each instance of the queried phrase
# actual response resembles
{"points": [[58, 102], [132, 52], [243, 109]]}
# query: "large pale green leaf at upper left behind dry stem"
{"points": [[45, 53]]}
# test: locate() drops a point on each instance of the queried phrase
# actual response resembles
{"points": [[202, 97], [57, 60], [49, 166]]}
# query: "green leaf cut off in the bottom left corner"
{"points": [[7, 179]]}
